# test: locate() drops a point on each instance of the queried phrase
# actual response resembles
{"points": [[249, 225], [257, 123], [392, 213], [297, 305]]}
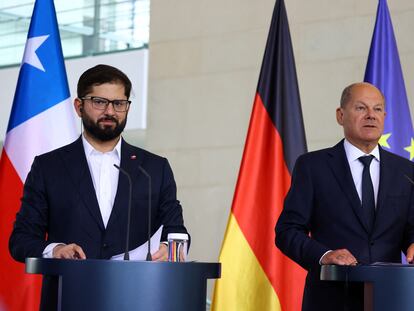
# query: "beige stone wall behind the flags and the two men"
{"points": [[205, 57]]}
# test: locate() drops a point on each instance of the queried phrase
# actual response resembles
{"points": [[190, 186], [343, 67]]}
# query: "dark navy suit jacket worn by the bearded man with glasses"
{"points": [[59, 204]]}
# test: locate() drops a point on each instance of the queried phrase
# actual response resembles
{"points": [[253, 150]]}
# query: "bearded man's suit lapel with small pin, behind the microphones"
{"points": [[131, 159]]}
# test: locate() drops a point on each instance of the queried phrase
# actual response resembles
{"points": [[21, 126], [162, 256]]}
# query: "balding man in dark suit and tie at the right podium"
{"points": [[349, 204]]}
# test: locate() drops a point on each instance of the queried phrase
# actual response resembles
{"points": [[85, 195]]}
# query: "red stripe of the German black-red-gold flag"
{"points": [[263, 183]]}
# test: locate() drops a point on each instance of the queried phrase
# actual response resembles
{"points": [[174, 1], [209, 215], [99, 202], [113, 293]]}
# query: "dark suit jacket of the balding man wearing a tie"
{"points": [[322, 212]]}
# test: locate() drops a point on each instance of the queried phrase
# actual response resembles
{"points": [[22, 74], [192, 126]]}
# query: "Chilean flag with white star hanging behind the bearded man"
{"points": [[41, 120]]}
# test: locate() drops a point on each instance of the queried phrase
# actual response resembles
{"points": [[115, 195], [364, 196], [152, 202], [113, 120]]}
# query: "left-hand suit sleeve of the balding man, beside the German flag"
{"points": [[293, 227]]}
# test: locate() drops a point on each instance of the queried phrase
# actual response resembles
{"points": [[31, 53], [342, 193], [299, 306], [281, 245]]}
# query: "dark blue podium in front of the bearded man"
{"points": [[106, 285]]}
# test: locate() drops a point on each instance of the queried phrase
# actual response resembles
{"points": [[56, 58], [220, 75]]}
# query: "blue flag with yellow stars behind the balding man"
{"points": [[384, 71]]}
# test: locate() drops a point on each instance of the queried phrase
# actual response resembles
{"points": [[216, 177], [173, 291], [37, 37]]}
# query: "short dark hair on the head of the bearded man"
{"points": [[101, 74]]}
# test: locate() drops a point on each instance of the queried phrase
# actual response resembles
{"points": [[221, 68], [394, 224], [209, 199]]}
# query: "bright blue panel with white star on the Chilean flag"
{"points": [[42, 79]]}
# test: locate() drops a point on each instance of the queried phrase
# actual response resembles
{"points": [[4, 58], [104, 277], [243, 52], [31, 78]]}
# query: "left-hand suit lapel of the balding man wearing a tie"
{"points": [[340, 167]]}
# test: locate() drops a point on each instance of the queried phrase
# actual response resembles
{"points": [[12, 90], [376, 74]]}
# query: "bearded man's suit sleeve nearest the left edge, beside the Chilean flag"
{"points": [[29, 230]]}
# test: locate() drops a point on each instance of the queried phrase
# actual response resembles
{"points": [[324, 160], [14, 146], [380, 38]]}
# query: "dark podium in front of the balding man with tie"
{"points": [[386, 286]]}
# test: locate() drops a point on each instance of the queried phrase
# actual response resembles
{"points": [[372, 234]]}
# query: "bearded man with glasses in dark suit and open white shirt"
{"points": [[75, 202]]}
